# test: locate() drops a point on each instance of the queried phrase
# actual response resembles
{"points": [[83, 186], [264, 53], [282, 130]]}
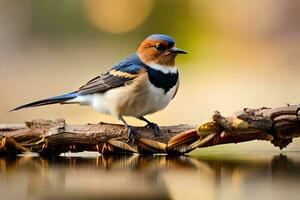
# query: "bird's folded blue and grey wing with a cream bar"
{"points": [[117, 76]]}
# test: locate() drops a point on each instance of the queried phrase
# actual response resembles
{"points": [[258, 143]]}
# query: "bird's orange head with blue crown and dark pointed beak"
{"points": [[159, 49]]}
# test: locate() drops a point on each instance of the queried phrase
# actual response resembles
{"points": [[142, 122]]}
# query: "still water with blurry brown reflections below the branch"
{"points": [[151, 177]]}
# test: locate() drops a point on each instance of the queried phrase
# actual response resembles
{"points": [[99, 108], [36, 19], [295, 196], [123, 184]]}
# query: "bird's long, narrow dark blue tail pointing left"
{"points": [[52, 100]]}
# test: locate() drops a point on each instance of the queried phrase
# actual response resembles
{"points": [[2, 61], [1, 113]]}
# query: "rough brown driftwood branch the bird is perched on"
{"points": [[278, 125]]}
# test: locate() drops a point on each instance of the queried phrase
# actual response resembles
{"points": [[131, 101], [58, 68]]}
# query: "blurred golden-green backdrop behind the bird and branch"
{"points": [[241, 54]]}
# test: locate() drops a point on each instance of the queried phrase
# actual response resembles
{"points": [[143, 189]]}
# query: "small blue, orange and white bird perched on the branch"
{"points": [[141, 84]]}
